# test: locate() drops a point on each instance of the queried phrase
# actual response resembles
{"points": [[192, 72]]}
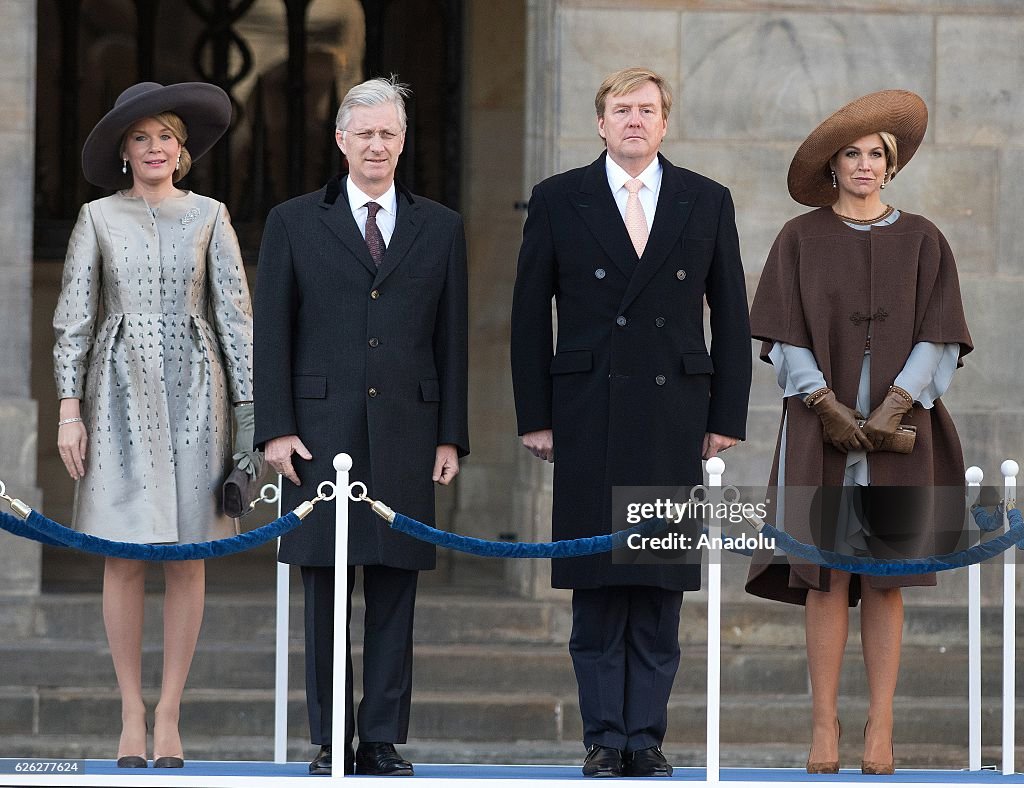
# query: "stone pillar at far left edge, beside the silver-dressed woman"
{"points": [[20, 559]]}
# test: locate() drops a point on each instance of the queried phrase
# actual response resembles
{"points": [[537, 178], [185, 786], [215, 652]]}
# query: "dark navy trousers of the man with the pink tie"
{"points": [[625, 648]]}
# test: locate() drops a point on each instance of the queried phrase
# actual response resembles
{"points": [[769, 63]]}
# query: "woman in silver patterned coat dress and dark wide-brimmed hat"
{"points": [[154, 345]]}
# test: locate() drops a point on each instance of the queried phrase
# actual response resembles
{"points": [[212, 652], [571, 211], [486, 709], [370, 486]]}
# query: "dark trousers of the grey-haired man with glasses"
{"points": [[388, 653]]}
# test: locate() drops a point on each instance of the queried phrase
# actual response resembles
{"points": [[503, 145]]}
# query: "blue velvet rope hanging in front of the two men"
{"points": [[588, 546]]}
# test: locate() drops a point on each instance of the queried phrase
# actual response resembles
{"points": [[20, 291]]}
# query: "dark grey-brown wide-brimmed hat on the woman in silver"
{"points": [[205, 109]]}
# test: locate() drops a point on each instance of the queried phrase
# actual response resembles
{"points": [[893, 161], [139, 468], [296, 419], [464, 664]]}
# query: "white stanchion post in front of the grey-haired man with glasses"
{"points": [[343, 464]]}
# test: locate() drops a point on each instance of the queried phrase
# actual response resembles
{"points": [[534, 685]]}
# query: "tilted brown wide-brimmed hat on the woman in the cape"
{"points": [[901, 113]]}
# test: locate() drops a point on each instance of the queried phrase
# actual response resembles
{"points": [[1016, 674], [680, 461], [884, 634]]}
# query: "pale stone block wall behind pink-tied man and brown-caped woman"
{"points": [[751, 79]]}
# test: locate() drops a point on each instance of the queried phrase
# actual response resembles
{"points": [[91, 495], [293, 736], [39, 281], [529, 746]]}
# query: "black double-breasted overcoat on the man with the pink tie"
{"points": [[632, 388]]}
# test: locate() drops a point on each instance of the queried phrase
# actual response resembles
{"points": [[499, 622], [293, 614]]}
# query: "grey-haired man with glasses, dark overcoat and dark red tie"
{"points": [[361, 346]]}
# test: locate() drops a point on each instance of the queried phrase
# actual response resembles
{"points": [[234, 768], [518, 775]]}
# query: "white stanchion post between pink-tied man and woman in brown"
{"points": [[716, 467]]}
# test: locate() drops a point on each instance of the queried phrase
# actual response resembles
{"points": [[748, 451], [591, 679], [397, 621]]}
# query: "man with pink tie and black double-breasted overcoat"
{"points": [[630, 247]]}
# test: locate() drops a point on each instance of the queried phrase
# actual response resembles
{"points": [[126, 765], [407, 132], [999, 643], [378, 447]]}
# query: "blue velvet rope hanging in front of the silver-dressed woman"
{"points": [[45, 531]]}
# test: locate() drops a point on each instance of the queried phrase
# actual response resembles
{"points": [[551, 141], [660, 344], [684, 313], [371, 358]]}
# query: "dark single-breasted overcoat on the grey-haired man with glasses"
{"points": [[364, 361]]}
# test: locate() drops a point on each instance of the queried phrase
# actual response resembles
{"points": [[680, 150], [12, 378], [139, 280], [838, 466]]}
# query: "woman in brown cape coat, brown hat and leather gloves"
{"points": [[860, 310]]}
